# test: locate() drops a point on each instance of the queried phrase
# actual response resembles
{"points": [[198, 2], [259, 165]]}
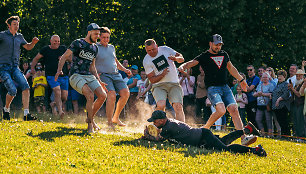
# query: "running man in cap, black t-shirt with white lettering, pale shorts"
{"points": [[83, 74]]}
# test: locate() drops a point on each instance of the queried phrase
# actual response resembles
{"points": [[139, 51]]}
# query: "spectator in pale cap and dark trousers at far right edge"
{"points": [[298, 104]]}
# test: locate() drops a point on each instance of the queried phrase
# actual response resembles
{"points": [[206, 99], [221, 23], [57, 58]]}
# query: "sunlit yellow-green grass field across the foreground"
{"points": [[65, 147]]}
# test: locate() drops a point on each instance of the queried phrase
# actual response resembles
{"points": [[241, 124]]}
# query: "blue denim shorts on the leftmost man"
{"points": [[9, 75]]}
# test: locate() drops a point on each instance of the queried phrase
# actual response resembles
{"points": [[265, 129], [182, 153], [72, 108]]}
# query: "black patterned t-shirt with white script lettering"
{"points": [[83, 55]]}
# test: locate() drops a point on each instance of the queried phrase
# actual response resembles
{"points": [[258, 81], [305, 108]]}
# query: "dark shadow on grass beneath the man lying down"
{"points": [[166, 145]]}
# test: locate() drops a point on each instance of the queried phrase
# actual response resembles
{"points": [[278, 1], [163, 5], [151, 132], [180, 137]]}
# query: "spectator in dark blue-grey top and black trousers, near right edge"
{"points": [[281, 103]]}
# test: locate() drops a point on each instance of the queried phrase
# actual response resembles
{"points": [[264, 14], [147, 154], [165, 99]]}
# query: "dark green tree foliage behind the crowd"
{"points": [[254, 32]]}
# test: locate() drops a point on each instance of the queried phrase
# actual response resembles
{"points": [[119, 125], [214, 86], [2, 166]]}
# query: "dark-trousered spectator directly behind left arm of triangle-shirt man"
{"points": [[202, 110]]}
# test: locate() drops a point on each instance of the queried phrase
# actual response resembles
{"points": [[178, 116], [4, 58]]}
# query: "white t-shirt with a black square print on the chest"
{"points": [[160, 62]]}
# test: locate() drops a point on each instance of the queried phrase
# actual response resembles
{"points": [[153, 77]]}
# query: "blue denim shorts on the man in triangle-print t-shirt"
{"points": [[220, 94]]}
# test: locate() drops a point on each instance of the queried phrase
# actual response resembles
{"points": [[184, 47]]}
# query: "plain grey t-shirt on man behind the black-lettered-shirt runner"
{"points": [[106, 59]]}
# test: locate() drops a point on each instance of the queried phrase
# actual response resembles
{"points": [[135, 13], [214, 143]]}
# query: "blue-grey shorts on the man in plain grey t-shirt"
{"points": [[114, 81]]}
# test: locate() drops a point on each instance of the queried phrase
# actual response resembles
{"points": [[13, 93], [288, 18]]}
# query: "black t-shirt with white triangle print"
{"points": [[214, 66]]}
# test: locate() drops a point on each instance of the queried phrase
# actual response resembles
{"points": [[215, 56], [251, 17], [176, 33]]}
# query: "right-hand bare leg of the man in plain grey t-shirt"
{"points": [[124, 96]]}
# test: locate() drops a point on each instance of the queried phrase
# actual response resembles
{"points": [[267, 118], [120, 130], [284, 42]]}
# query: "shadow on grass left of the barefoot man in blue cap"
{"points": [[59, 132]]}
